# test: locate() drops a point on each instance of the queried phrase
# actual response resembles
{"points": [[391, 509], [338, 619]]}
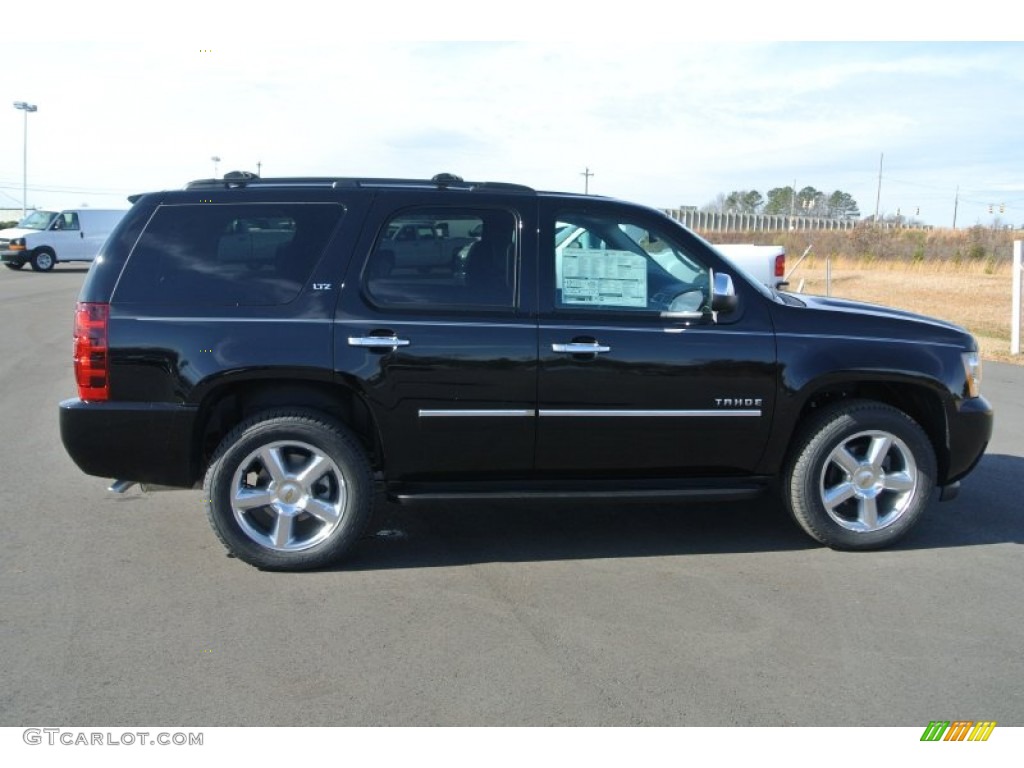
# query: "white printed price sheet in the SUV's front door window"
{"points": [[600, 278]]}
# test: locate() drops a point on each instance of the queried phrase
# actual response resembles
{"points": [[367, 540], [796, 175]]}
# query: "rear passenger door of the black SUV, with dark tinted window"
{"points": [[446, 358]]}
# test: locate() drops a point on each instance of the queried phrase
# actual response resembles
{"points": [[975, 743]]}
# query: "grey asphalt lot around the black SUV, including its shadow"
{"points": [[121, 611]]}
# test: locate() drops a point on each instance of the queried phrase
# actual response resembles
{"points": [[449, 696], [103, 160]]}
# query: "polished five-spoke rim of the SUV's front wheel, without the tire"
{"points": [[869, 482]]}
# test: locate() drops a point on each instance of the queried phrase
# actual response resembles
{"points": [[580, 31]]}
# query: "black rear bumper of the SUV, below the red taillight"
{"points": [[143, 442]]}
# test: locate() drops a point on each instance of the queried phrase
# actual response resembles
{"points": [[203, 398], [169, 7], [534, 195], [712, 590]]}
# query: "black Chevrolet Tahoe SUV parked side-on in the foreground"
{"points": [[293, 344]]}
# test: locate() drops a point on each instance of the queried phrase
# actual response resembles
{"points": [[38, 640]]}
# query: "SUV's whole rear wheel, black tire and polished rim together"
{"points": [[266, 506]]}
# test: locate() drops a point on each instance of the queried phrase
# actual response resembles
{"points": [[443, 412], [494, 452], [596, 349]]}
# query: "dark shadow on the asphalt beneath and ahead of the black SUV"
{"points": [[460, 534]]}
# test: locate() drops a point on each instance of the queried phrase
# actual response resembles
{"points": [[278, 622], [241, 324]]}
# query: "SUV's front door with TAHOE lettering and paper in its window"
{"points": [[636, 376]]}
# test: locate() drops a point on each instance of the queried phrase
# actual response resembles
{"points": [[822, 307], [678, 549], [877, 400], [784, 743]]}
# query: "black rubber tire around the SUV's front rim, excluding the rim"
{"points": [[831, 430]]}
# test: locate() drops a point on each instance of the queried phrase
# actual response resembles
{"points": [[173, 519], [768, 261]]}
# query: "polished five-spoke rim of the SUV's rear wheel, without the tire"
{"points": [[288, 496]]}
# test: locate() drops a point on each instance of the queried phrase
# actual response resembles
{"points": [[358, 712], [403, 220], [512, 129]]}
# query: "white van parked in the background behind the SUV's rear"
{"points": [[45, 238]]}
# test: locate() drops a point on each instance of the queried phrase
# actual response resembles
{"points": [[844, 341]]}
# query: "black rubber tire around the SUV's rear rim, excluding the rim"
{"points": [[329, 438]]}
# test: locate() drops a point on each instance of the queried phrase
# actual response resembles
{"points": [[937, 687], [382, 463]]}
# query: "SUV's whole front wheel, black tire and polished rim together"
{"points": [[861, 476]]}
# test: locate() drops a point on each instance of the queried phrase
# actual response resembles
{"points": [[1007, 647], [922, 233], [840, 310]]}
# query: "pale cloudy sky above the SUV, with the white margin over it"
{"points": [[658, 107]]}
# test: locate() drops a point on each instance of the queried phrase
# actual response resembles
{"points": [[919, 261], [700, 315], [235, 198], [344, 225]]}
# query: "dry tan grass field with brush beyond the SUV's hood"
{"points": [[962, 276]]}
